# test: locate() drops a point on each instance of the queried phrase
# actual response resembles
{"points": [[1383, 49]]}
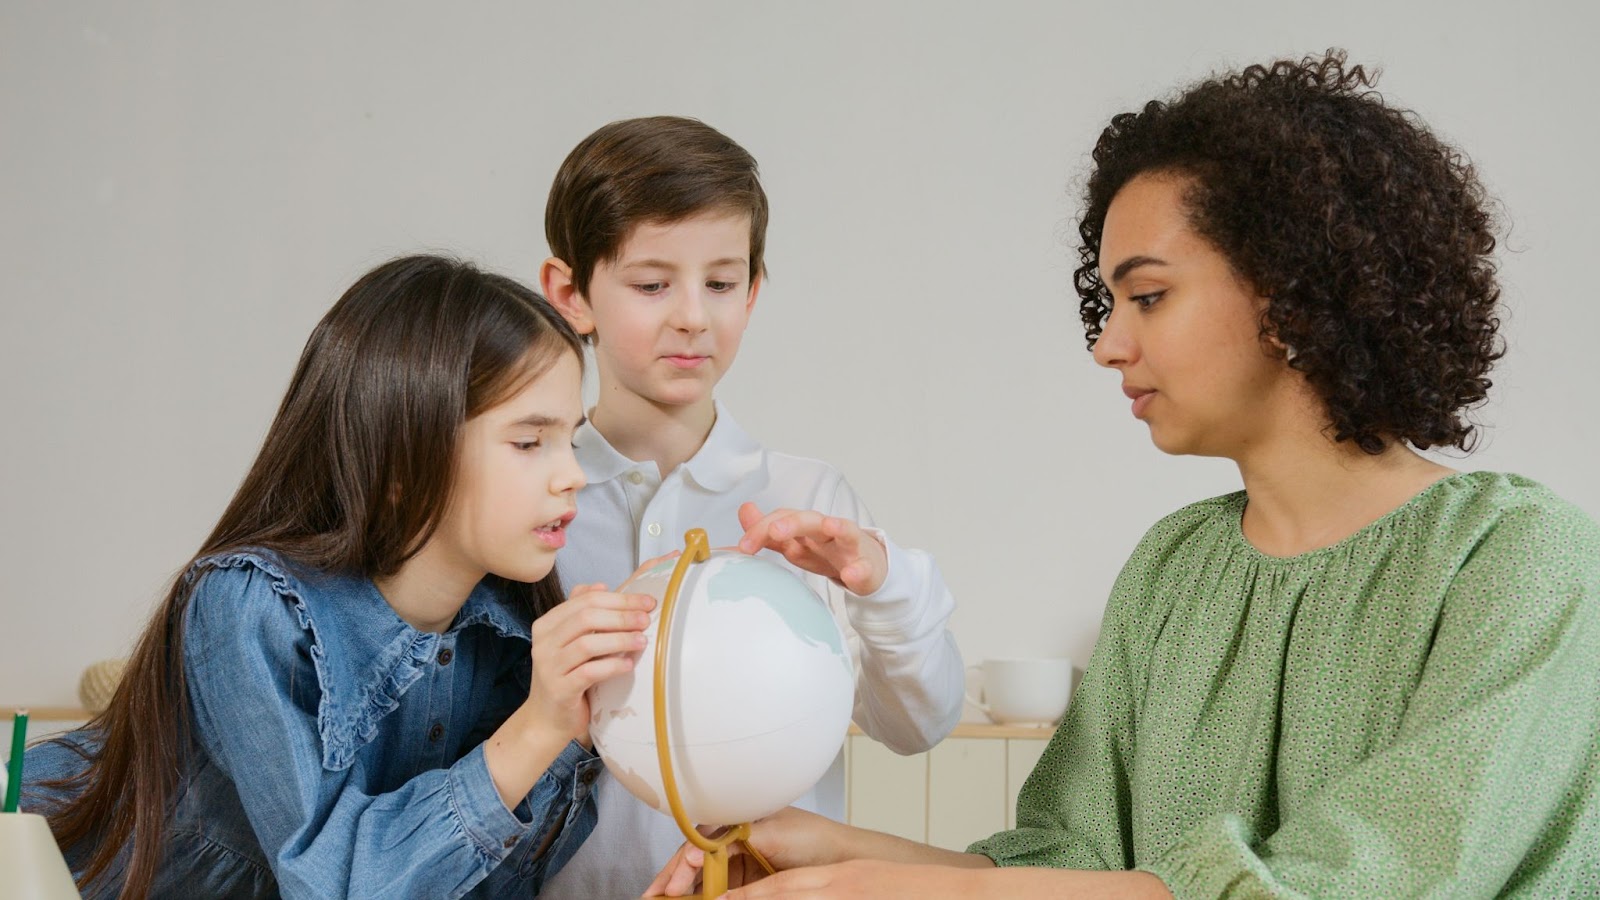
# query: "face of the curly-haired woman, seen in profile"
{"points": [[1185, 329]]}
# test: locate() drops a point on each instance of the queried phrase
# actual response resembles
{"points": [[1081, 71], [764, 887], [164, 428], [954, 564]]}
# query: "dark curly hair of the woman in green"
{"points": [[1367, 233]]}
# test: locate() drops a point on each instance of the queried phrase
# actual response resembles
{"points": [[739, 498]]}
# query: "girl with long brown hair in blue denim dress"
{"points": [[337, 696]]}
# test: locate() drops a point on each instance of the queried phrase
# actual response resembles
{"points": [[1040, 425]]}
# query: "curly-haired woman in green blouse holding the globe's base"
{"points": [[1361, 677]]}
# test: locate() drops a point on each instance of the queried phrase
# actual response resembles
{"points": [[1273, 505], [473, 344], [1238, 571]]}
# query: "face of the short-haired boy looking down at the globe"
{"points": [[670, 311]]}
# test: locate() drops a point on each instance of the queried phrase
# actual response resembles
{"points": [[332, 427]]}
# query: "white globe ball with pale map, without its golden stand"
{"points": [[759, 693]]}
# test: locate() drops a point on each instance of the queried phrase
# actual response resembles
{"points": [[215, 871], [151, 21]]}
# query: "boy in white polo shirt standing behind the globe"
{"points": [[658, 230]]}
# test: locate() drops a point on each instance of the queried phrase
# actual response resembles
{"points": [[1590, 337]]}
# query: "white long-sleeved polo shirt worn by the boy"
{"points": [[910, 677]]}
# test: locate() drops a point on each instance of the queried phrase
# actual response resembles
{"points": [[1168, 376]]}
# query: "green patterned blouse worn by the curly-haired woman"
{"points": [[1414, 712]]}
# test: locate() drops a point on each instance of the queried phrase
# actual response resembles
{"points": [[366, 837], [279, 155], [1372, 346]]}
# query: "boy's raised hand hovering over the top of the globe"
{"points": [[826, 545]]}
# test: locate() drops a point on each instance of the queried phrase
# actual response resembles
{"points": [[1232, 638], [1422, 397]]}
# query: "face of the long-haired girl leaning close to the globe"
{"points": [[516, 481]]}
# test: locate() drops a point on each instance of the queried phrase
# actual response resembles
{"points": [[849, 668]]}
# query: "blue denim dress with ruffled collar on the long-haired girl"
{"points": [[338, 752]]}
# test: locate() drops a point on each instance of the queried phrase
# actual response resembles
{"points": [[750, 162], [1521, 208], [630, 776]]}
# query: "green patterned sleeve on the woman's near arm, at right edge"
{"points": [[1494, 769]]}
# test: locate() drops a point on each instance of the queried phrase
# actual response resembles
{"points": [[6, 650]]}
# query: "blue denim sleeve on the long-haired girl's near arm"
{"points": [[255, 694]]}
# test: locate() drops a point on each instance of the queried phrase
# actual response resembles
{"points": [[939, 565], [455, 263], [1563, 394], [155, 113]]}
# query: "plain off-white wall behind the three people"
{"points": [[185, 188]]}
